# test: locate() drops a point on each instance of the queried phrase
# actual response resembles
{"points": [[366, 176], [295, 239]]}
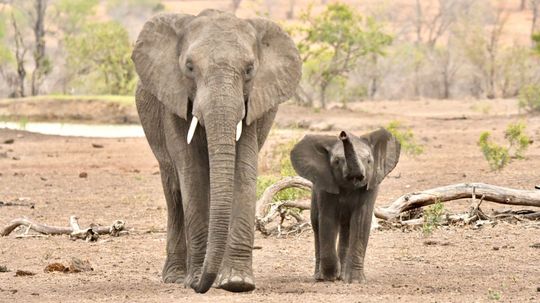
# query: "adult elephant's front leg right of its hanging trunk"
{"points": [[236, 272]]}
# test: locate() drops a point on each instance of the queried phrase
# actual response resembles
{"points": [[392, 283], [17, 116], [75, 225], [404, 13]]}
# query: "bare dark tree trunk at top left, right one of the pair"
{"points": [[39, 52]]}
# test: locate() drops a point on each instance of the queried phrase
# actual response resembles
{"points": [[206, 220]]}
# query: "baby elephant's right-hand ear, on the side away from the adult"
{"points": [[386, 149]]}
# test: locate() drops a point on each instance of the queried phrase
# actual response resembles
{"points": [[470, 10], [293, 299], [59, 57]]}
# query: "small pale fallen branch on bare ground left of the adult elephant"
{"points": [[74, 231]]}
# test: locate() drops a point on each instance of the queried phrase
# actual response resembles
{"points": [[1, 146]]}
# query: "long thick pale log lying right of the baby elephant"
{"points": [[491, 193]]}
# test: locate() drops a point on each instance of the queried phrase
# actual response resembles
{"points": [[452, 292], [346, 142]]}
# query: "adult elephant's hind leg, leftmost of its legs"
{"points": [[174, 270]]}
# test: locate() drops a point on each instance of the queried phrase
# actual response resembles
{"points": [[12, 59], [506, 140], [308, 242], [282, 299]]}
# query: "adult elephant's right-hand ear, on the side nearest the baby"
{"points": [[279, 71]]}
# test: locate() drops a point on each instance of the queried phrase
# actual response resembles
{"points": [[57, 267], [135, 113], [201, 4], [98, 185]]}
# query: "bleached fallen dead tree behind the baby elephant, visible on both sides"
{"points": [[268, 210]]}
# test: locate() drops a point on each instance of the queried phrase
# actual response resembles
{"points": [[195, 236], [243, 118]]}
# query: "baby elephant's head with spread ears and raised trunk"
{"points": [[346, 162]]}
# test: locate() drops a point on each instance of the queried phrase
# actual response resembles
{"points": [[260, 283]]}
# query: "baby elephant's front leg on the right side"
{"points": [[360, 227]]}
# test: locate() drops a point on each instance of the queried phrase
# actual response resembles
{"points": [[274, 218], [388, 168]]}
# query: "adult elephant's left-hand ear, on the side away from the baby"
{"points": [[156, 54]]}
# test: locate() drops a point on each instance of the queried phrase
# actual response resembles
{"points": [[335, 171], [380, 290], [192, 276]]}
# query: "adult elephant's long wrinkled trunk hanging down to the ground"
{"points": [[221, 126]]}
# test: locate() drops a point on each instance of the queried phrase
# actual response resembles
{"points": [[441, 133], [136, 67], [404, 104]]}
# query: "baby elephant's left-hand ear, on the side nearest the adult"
{"points": [[311, 159]]}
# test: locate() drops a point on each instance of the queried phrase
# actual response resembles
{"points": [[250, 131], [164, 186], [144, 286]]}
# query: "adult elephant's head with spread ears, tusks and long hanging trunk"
{"points": [[223, 73]]}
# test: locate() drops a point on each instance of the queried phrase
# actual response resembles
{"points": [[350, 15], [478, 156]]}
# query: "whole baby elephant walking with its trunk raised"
{"points": [[346, 172]]}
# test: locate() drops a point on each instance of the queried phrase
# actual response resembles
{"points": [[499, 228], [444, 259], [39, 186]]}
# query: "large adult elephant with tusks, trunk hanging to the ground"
{"points": [[221, 70]]}
